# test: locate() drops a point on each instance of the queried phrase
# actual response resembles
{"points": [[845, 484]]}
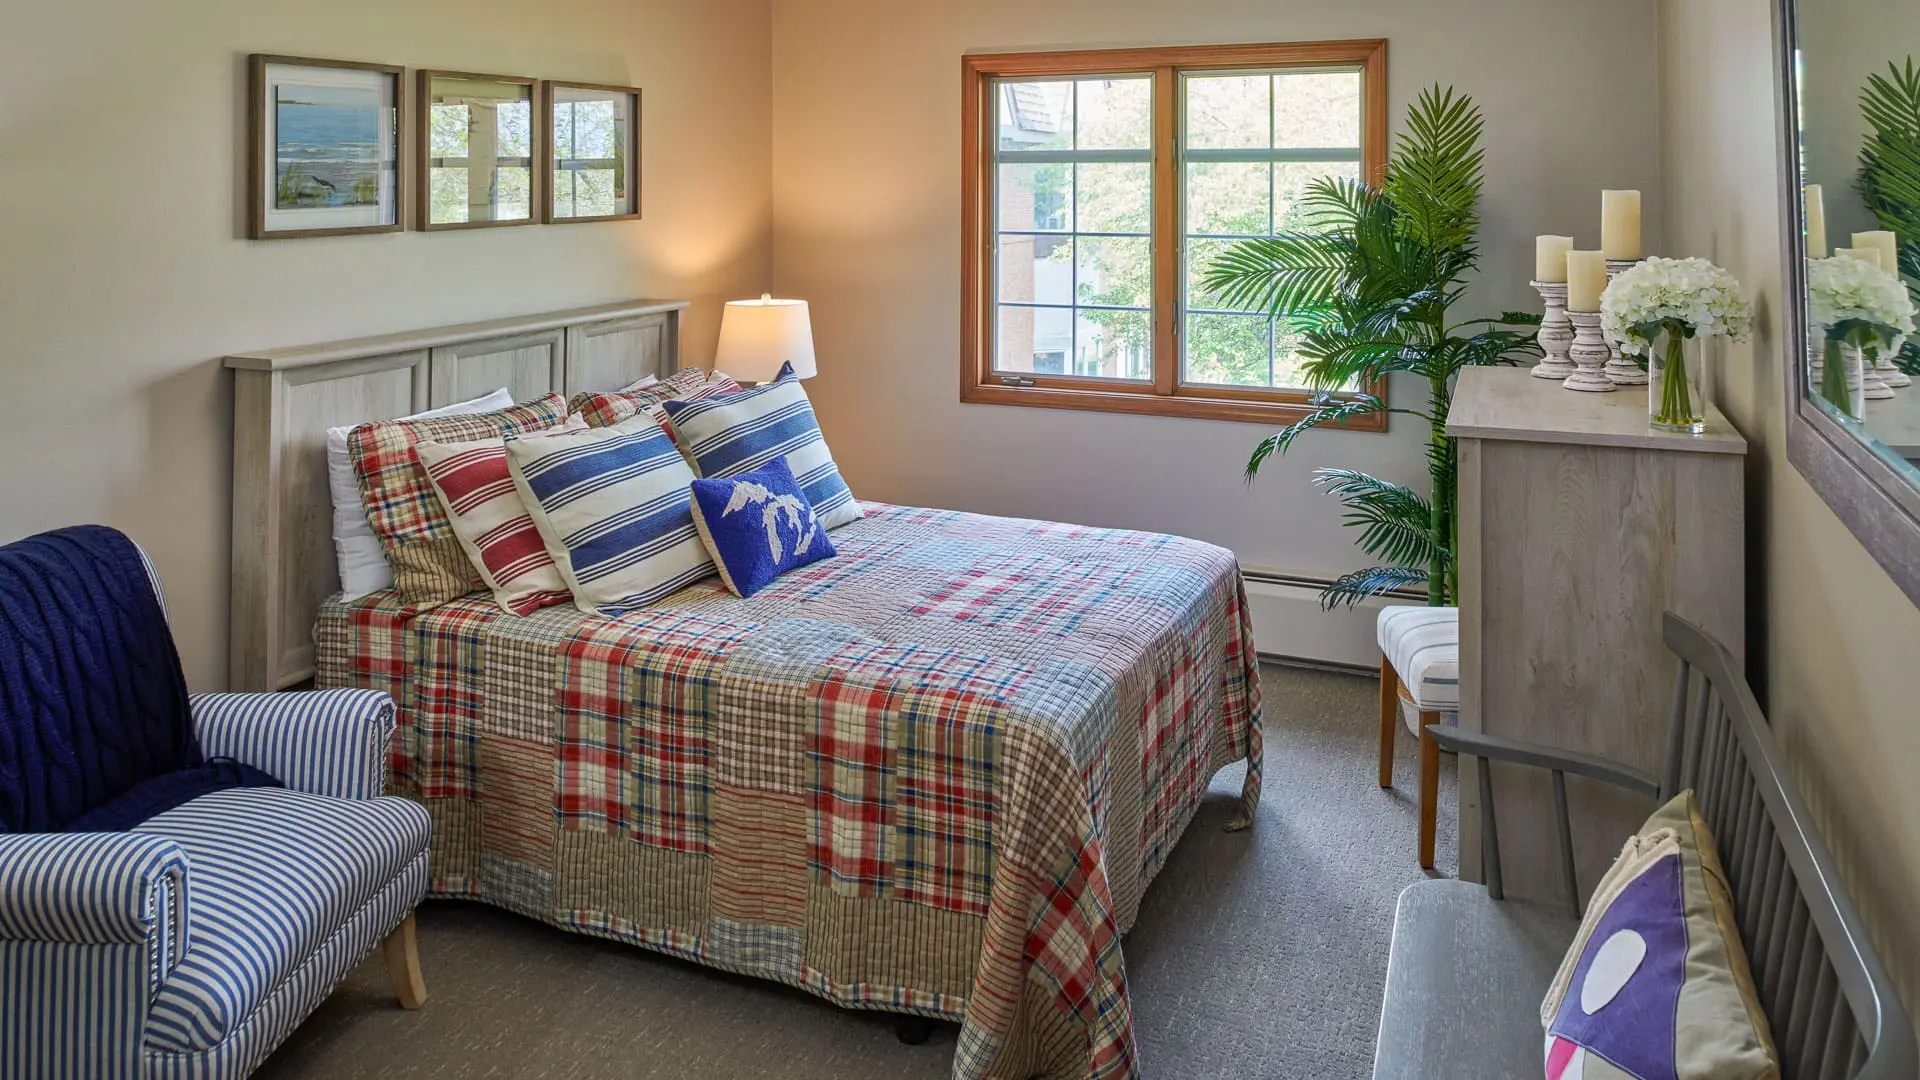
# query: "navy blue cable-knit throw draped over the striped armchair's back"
{"points": [[95, 727]]}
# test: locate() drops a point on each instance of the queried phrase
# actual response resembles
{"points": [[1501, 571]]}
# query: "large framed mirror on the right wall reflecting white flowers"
{"points": [[1850, 97]]}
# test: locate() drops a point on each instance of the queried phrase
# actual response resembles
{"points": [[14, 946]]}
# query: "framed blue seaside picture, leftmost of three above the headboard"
{"points": [[325, 141]]}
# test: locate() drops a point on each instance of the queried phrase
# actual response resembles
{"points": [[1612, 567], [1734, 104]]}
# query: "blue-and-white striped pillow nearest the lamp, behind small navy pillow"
{"points": [[740, 433]]}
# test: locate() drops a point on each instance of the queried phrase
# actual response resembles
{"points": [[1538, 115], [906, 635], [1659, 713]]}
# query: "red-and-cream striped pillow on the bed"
{"points": [[491, 520]]}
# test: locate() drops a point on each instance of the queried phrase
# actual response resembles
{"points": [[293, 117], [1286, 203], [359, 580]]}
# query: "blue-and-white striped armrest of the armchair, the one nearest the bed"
{"points": [[322, 743]]}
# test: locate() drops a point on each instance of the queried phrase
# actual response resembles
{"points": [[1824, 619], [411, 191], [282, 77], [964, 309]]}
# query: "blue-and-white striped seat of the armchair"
{"points": [[274, 873]]}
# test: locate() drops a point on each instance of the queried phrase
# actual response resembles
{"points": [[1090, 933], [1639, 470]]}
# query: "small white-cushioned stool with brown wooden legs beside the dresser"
{"points": [[1420, 681]]}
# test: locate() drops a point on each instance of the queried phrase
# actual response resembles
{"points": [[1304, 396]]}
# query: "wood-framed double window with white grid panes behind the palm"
{"points": [[1099, 187]]}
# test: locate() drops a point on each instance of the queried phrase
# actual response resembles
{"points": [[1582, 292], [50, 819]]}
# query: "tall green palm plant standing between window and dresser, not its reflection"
{"points": [[1370, 287]]}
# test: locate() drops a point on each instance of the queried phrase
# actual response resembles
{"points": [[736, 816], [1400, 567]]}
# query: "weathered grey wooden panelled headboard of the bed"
{"points": [[285, 401]]}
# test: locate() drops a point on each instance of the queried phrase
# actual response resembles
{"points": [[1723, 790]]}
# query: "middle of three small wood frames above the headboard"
{"points": [[479, 147]]}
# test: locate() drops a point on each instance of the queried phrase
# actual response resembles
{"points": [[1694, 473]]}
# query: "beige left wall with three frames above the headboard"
{"points": [[124, 278]]}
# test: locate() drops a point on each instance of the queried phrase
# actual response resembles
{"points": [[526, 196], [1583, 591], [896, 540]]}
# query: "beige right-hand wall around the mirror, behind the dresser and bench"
{"points": [[1838, 639]]}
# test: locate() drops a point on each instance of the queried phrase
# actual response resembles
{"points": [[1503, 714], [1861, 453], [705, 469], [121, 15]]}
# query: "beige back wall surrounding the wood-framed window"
{"points": [[867, 226]]}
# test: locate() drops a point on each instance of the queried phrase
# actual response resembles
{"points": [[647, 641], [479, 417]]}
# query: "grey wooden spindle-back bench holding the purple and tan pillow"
{"points": [[1827, 996]]}
